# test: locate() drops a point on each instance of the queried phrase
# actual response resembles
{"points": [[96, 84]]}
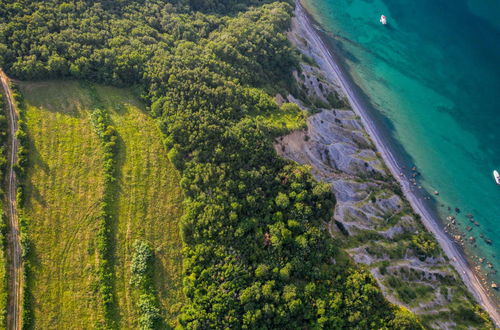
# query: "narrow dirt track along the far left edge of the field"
{"points": [[15, 273]]}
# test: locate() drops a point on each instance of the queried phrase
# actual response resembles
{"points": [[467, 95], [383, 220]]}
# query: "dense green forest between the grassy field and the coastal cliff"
{"points": [[257, 253]]}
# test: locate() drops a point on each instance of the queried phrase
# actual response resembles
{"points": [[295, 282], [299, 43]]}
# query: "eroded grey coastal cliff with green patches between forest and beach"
{"points": [[373, 220]]}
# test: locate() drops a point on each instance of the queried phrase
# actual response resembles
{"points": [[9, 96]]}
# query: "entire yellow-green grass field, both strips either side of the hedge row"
{"points": [[64, 187]]}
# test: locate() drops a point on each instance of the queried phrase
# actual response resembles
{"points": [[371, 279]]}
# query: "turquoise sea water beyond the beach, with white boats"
{"points": [[433, 77]]}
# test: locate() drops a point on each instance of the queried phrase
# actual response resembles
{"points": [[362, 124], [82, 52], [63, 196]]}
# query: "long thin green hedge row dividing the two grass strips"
{"points": [[107, 134]]}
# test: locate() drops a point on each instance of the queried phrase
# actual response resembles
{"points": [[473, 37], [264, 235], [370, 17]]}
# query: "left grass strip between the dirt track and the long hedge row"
{"points": [[64, 186]]}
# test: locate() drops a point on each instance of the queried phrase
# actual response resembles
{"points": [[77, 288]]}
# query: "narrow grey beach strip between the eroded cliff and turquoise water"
{"points": [[430, 221]]}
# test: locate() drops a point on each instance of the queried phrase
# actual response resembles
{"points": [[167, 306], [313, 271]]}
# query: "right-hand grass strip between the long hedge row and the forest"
{"points": [[148, 206]]}
